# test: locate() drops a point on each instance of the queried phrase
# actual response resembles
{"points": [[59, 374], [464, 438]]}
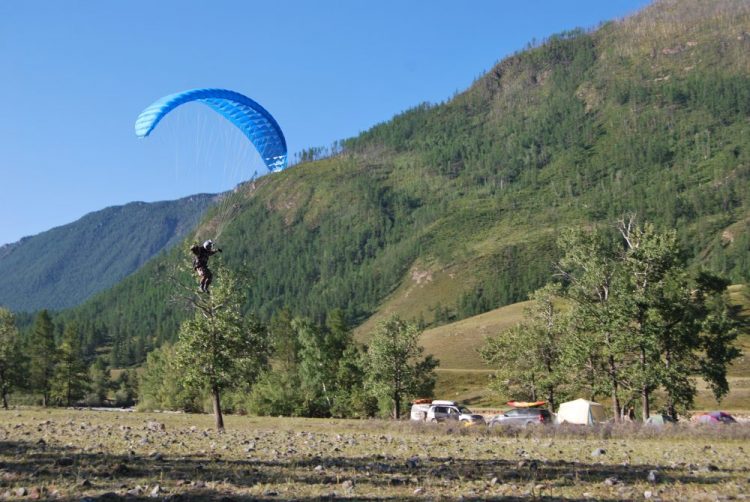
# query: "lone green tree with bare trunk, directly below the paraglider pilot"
{"points": [[220, 348]]}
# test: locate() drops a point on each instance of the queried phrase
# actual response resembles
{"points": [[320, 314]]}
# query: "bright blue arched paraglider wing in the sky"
{"points": [[248, 116]]}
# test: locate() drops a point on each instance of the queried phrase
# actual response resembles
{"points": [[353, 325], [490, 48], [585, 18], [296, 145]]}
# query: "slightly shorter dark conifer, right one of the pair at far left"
{"points": [[70, 378]]}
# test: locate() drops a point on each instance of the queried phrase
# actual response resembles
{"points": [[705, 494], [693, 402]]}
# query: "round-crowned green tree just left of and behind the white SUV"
{"points": [[397, 371]]}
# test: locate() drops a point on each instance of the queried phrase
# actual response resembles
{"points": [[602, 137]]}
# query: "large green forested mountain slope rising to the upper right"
{"points": [[452, 209]]}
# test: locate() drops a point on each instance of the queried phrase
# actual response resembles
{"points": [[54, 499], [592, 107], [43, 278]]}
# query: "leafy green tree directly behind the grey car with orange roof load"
{"points": [[528, 357]]}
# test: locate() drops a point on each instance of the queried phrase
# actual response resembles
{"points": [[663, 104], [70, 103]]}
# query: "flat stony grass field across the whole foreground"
{"points": [[84, 455]]}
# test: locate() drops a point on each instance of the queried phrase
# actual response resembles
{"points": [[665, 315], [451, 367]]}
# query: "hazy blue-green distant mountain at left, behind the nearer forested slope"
{"points": [[62, 267]]}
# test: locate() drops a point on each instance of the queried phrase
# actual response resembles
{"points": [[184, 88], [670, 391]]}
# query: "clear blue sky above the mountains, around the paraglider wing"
{"points": [[75, 74]]}
